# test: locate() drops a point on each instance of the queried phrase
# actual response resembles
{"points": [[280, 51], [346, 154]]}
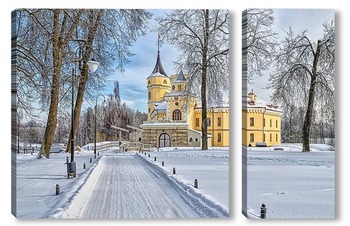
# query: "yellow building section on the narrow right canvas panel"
{"points": [[261, 122]]}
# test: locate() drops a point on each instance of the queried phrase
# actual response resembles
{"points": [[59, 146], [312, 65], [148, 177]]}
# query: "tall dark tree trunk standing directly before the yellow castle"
{"points": [[204, 82]]}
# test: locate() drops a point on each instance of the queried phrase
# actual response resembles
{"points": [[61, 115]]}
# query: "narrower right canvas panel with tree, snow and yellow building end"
{"points": [[288, 113]]}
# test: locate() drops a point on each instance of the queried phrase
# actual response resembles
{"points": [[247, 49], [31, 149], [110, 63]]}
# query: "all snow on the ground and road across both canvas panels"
{"points": [[292, 184]]}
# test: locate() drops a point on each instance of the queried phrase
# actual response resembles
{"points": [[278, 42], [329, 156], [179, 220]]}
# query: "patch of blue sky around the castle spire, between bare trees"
{"points": [[132, 83]]}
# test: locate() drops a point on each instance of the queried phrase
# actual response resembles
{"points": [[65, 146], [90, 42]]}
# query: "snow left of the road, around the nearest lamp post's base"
{"points": [[36, 181]]}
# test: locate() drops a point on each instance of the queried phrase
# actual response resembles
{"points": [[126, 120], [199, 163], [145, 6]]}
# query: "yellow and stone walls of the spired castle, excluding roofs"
{"points": [[158, 87]]}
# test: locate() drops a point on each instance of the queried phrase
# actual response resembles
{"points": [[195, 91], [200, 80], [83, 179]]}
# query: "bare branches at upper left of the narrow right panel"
{"points": [[259, 41]]}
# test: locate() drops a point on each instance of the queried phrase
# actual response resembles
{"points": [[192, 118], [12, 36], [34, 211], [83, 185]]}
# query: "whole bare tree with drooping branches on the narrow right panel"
{"points": [[305, 73]]}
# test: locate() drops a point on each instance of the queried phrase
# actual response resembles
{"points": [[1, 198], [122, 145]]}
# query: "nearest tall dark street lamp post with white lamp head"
{"points": [[71, 166]]}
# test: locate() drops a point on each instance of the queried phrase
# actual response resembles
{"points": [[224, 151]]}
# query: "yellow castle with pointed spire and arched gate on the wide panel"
{"points": [[174, 116]]}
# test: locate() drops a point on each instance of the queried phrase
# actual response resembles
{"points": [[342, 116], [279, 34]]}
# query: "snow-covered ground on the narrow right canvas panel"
{"points": [[292, 184]]}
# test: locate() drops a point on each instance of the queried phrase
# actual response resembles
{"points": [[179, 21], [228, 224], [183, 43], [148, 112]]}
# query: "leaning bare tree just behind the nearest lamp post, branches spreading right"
{"points": [[107, 37]]}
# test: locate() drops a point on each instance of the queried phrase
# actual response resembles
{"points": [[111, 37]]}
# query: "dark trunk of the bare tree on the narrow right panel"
{"points": [[310, 105]]}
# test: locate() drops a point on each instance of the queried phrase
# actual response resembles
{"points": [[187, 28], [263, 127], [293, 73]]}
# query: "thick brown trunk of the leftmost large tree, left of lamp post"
{"points": [[57, 61]]}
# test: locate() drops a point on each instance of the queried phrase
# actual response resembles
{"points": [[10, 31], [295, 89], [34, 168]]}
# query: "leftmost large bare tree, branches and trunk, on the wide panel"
{"points": [[43, 36]]}
